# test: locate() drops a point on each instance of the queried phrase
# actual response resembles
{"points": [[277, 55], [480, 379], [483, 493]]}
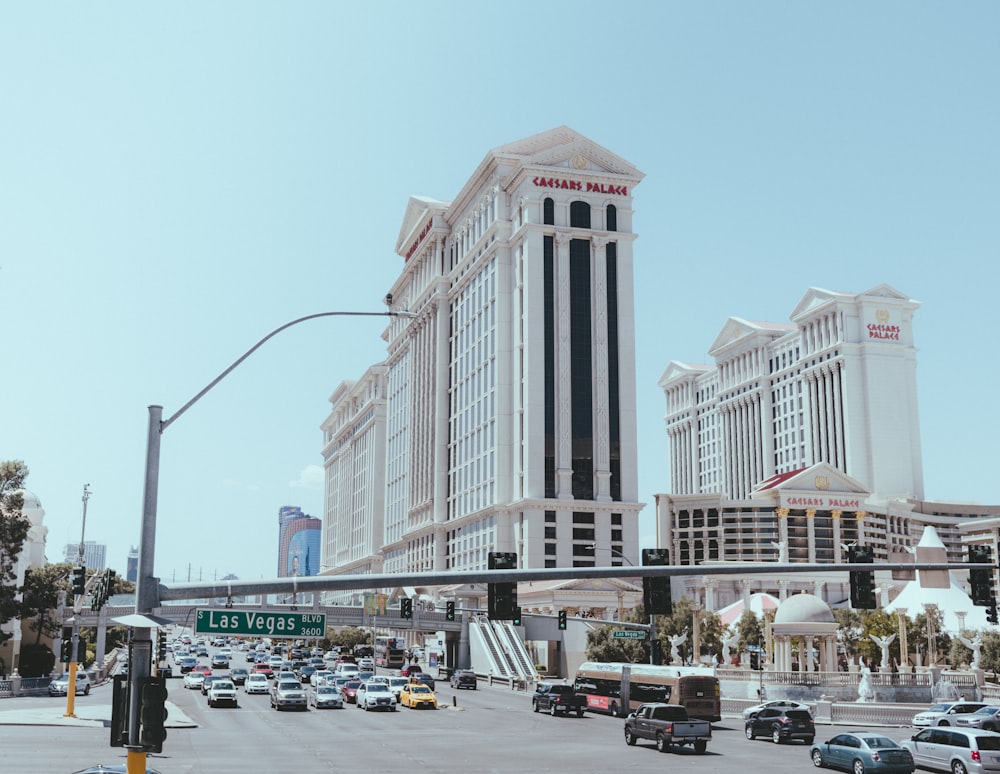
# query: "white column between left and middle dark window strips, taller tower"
{"points": [[564, 383]]}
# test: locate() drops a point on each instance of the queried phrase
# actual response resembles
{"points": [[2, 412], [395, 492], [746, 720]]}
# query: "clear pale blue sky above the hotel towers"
{"points": [[179, 179]]}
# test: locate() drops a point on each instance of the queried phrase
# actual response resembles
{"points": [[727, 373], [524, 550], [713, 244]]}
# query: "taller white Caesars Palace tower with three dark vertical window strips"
{"points": [[504, 417]]}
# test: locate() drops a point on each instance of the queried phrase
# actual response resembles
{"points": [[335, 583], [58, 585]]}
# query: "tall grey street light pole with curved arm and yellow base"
{"points": [[147, 595]]}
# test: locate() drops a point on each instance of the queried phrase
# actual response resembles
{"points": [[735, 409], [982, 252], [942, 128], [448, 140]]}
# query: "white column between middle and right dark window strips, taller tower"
{"points": [[600, 419]]}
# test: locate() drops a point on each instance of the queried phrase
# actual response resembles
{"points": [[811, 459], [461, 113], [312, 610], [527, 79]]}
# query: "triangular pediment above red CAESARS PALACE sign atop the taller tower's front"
{"points": [[564, 148]]}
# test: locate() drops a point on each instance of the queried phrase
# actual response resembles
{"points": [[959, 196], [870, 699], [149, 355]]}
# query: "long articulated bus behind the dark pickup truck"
{"points": [[619, 688]]}
